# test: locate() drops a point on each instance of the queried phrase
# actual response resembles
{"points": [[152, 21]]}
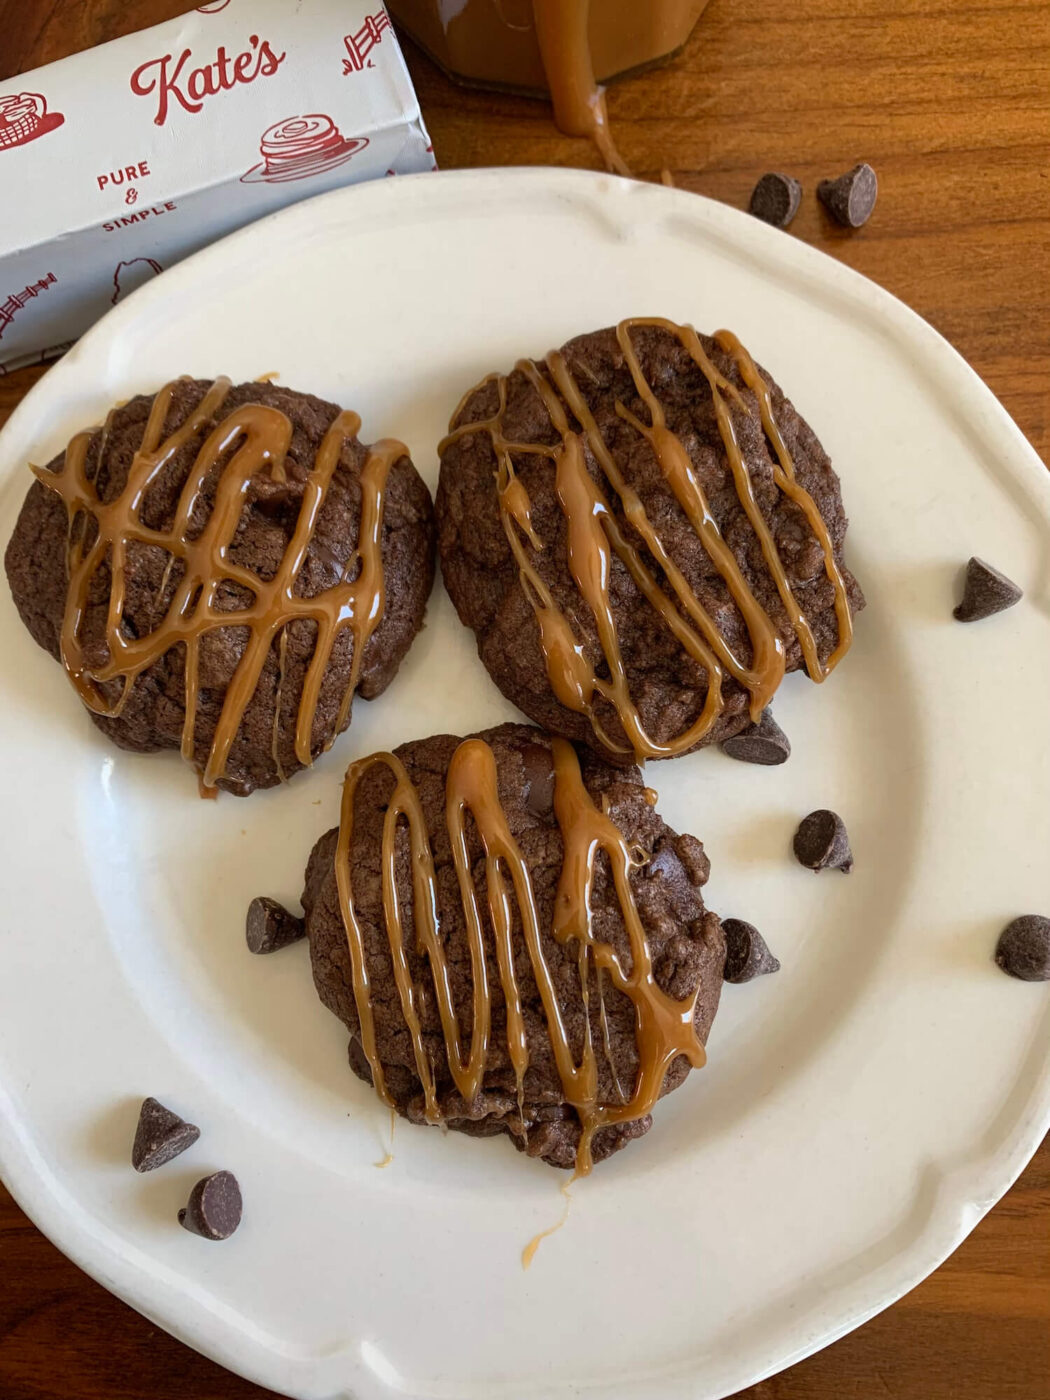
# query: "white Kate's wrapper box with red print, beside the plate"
{"points": [[118, 162]]}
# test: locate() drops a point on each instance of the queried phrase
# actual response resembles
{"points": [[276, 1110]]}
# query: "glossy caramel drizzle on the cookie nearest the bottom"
{"points": [[664, 1027]]}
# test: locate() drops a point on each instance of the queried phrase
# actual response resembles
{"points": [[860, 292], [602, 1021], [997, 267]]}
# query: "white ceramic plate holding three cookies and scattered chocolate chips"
{"points": [[860, 1111]]}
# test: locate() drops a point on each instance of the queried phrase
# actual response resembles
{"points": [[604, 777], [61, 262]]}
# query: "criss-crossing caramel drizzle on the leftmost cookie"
{"points": [[254, 437]]}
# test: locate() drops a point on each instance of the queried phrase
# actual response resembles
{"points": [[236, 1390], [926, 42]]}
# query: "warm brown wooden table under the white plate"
{"points": [[951, 103]]}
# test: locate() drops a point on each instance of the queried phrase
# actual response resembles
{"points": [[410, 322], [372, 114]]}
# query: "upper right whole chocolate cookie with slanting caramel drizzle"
{"points": [[645, 537]]}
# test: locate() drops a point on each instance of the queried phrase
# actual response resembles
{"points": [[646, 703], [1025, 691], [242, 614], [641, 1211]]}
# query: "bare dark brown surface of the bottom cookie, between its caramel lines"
{"points": [[684, 940]]}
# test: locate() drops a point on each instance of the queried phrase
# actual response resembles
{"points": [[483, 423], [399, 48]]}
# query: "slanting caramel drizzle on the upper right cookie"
{"points": [[594, 537]]}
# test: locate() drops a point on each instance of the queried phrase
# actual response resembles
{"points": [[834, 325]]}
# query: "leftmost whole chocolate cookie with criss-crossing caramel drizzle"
{"points": [[220, 569]]}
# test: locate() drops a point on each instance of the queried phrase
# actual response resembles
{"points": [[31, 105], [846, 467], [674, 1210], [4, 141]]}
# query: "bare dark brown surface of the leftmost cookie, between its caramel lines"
{"points": [[155, 713]]}
